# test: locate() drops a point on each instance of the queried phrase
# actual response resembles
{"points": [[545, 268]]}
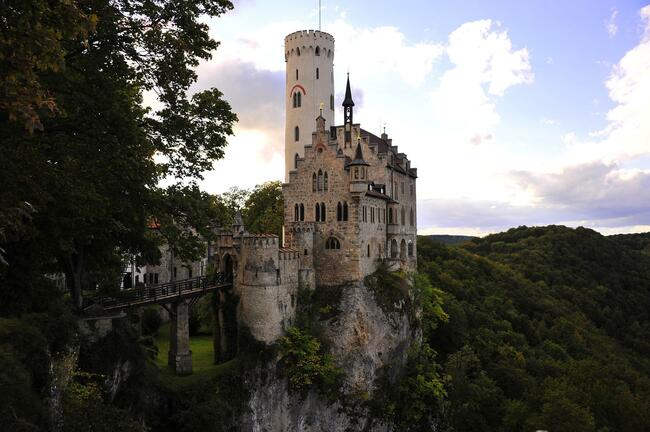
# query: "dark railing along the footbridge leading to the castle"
{"points": [[169, 290]]}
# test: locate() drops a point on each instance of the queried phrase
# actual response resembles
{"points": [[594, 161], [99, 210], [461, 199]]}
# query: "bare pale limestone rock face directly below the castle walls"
{"points": [[363, 338]]}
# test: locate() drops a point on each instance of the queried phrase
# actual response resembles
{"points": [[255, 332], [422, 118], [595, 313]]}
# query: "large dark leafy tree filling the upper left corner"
{"points": [[90, 174]]}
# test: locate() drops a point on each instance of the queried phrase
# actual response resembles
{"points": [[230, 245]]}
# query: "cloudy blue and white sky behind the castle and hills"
{"points": [[514, 112]]}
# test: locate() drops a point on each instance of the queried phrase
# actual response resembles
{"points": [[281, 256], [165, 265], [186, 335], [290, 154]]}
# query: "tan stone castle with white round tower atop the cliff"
{"points": [[349, 204]]}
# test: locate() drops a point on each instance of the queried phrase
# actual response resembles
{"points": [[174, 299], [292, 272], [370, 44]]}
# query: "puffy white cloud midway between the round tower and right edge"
{"points": [[484, 67]]}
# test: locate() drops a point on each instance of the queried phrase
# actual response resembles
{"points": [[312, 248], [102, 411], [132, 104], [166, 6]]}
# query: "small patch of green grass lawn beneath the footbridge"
{"points": [[202, 361]]}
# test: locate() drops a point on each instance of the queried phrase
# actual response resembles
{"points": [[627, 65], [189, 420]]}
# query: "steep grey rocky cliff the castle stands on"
{"points": [[368, 334]]}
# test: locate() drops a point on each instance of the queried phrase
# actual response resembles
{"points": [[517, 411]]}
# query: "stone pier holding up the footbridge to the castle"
{"points": [[180, 356]]}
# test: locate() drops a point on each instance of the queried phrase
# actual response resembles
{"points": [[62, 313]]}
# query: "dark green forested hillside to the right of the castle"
{"points": [[548, 329]]}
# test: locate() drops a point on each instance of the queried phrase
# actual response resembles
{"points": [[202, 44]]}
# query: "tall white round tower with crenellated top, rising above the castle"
{"points": [[309, 55]]}
